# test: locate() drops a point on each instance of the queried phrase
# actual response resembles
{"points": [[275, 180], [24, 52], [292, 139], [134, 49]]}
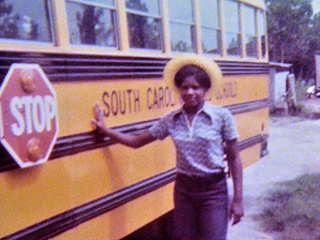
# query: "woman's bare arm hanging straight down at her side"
{"points": [[234, 162]]}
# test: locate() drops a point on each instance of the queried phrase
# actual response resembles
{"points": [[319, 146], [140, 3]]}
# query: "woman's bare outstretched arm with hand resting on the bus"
{"points": [[134, 141]]}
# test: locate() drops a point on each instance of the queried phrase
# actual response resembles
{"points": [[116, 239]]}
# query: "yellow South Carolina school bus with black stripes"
{"points": [[113, 52]]}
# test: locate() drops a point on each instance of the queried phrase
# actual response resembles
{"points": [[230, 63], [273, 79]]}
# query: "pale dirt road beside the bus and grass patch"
{"points": [[294, 150]]}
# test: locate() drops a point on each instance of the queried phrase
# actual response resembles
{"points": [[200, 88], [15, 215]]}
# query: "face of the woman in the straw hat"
{"points": [[191, 92]]}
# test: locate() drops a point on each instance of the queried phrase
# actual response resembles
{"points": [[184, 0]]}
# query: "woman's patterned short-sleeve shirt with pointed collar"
{"points": [[199, 147]]}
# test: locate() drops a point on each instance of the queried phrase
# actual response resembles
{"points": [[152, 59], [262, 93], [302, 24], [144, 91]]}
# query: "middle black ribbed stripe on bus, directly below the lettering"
{"points": [[73, 144]]}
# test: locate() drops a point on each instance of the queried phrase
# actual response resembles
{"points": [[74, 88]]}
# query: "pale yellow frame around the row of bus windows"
{"points": [[122, 38]]}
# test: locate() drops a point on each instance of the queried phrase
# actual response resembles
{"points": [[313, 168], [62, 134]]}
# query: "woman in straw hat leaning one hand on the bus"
{"points": [[202, 134]]}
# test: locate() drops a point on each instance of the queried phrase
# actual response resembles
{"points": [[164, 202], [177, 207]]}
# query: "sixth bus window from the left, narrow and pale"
{"points": [[232, 25]]}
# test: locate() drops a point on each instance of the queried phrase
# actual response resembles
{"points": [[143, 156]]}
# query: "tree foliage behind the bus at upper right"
{"points": [[294, 35]]}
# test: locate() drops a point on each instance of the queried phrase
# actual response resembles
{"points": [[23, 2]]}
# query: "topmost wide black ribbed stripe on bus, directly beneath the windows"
{"points": [[68, 67]]}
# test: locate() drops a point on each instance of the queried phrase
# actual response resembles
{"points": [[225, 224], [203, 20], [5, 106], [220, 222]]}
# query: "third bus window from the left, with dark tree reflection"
{"points": [[144, 24]]}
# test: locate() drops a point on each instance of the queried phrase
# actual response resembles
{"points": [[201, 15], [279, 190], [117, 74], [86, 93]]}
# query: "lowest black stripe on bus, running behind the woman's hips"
{"points": [[65, 221]]}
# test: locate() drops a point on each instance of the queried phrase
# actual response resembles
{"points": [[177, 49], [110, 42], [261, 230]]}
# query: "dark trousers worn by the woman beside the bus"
{"points": [[201, 207]]}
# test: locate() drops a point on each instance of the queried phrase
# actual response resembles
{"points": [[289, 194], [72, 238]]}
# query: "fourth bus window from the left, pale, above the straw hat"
{"points": [[181, 25]]}
